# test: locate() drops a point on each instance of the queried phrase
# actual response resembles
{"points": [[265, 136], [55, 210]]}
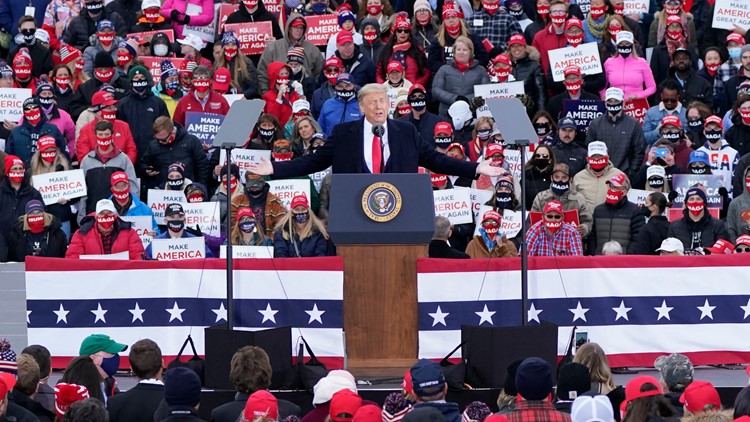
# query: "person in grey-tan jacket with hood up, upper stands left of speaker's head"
{"points": [[277, 51]]}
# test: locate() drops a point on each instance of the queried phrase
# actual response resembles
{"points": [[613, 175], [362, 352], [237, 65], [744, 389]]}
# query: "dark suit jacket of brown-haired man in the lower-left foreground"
{"points": [[137, 404]]}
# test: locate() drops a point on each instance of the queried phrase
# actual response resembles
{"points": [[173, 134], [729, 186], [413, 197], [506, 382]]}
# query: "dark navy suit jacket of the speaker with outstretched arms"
{"points": [[344, 151]]}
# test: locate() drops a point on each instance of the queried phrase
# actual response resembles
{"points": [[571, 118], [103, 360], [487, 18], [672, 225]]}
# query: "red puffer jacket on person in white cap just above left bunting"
{"points": [[88, 241]]}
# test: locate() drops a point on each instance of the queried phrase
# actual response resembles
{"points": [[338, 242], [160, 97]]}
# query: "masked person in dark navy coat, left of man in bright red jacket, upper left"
{"points": [[140, 108]]}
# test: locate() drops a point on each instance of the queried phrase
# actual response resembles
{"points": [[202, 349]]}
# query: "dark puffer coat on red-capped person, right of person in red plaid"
{"points": [[621, 222]]}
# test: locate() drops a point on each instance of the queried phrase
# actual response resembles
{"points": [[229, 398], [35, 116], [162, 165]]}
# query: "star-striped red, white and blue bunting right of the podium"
{"points": [[636, 307]]}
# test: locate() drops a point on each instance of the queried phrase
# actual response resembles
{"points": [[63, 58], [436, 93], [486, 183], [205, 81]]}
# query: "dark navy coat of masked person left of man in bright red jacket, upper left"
{"points": [[141, 111]]}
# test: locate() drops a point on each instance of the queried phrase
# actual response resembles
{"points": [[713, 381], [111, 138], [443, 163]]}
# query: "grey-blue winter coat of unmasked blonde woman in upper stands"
{"points": [[450, 83]]}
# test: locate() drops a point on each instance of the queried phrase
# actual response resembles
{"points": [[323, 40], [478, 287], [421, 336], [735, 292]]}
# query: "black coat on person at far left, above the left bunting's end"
{"points": [[52, 242]]}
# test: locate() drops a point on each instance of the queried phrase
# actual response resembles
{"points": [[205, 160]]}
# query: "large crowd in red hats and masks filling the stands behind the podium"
{"points": [[95, 106]]}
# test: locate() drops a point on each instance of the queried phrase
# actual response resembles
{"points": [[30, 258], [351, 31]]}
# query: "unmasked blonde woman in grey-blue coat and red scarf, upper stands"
{"points": [[458, 78]]}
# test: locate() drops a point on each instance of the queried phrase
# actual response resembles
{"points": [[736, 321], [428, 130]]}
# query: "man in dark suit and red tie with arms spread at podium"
{"points": [[374, 144]]}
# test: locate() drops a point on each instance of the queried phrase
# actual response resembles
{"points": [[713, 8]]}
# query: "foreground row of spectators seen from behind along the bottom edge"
{"points": [[579, 391]]}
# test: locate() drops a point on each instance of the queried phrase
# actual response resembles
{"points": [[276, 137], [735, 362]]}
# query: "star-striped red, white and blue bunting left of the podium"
{"points": [[68, 300]]}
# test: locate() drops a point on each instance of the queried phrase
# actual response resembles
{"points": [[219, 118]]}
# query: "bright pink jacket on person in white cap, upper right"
{"points": [[630, 75]]}
